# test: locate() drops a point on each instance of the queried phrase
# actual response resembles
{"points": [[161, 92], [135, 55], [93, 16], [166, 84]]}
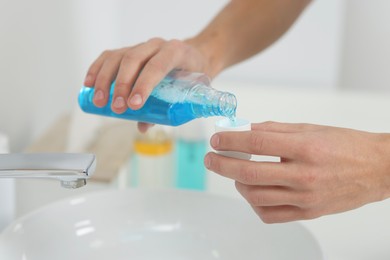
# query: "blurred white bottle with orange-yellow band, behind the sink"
{"points": [[152, 163]]}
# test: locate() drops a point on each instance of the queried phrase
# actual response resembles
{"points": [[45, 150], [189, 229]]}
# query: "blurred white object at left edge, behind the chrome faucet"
{"points": [[7, 191]]}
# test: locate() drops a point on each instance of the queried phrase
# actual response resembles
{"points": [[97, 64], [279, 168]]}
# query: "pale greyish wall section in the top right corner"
{"points": [[366, 49]]}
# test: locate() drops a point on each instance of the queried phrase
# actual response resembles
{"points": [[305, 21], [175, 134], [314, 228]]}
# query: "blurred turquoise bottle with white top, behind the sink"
{"points": [[191, 147]]}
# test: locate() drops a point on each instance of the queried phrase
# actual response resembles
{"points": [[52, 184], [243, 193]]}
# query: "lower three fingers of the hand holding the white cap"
{"points": [[271, 188]]}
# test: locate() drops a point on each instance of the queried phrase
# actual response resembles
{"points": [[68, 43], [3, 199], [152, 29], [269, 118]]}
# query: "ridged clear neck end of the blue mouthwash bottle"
{"points": [[211, 102]]}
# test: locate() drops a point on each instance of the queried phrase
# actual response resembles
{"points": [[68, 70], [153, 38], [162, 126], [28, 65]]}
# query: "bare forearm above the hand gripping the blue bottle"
{"points": [[244, 28]]}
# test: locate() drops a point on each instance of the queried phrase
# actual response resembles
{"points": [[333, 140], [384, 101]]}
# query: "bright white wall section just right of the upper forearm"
{"points": [[307, 56]]}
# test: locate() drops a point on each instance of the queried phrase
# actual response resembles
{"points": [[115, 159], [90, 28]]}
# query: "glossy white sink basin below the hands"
{"points": [[148, 224]]}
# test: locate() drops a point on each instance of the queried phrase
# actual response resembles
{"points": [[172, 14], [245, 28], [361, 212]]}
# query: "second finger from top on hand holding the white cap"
{"points": [[250, 172]]}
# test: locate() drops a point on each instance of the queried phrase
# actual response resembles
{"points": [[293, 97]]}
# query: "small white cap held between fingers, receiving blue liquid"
{"points": [[238, 124]]}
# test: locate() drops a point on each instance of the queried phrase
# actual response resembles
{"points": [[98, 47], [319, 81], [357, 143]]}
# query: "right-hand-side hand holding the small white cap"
{"points": [[322, 170]]}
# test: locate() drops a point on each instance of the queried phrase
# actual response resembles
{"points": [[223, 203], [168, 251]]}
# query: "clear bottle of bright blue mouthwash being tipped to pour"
{"points": [[180, 97]]}
